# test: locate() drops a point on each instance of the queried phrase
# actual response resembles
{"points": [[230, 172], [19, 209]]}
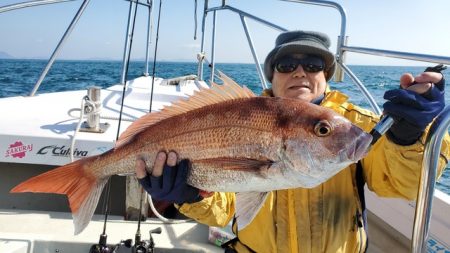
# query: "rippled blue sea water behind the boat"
{"points": [[17, 78]]}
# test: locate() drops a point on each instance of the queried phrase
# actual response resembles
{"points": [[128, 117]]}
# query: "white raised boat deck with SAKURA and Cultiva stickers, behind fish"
{"points": [[39, 129]]}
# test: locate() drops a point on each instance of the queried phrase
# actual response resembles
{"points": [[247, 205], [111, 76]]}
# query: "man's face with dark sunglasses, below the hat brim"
{"points": [[301, 83]]}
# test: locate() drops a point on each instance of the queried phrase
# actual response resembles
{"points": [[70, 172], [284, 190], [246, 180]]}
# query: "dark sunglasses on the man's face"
{"points": [[310, 64]]}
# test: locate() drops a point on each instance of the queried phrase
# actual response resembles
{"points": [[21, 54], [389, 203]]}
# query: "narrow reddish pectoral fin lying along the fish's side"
{"points": [[227, 163]]}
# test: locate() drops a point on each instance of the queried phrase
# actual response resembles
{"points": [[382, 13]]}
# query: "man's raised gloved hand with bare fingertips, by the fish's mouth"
{"points": [[418, 101]]}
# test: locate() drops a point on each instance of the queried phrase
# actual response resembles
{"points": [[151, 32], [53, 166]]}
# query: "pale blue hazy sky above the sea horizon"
{"points": [[420, 26]]}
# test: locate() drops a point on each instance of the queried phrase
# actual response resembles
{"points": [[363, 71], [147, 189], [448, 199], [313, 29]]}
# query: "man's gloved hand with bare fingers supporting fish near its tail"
{"points": [[168, 179]]}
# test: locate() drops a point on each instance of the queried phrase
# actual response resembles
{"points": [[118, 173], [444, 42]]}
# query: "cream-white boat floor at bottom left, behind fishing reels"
{"points": [[49, 232]]}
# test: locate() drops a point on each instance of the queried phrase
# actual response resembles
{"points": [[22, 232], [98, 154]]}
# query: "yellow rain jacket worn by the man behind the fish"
{"points": [[326, 218]]}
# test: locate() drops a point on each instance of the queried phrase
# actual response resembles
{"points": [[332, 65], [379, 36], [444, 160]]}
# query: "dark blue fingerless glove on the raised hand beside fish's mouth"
{"points": [[412, 112]]}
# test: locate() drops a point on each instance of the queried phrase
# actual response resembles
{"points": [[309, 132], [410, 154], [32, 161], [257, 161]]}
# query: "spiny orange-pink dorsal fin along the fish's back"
{"points": [[229, 90]]}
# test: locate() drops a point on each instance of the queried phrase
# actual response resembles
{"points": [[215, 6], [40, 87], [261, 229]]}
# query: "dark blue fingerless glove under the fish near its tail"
{"points": [[172, 186]]}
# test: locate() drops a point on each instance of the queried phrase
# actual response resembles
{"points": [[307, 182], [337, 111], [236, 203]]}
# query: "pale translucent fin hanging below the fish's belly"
{"points": [[247, 206]]}
